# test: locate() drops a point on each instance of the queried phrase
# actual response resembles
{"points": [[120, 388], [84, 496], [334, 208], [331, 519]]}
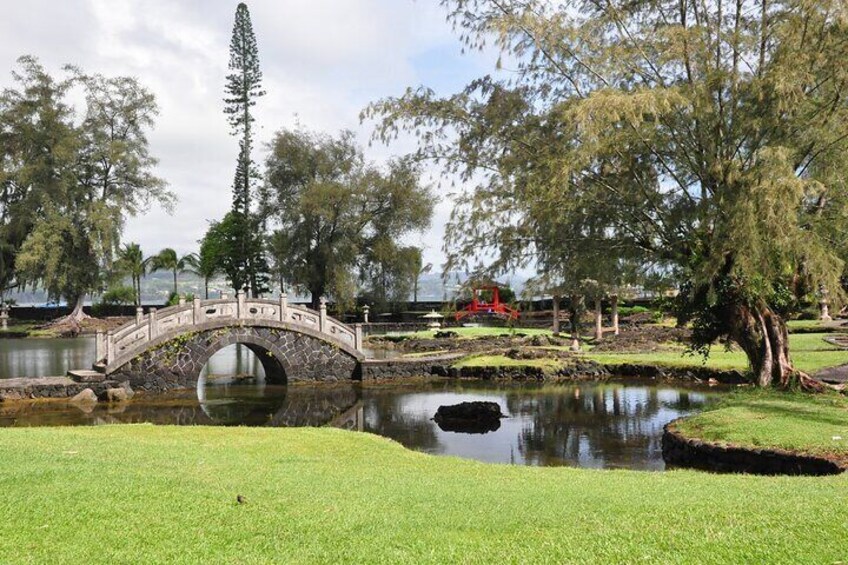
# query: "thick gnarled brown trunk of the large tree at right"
{"points": [[762, 335]]}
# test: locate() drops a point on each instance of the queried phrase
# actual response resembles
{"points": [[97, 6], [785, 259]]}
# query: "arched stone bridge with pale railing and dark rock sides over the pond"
{"points": [[167, 349]]}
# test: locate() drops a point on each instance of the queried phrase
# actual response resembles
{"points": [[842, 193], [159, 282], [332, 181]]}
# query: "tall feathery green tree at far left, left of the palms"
{"points": [[70, 184]]}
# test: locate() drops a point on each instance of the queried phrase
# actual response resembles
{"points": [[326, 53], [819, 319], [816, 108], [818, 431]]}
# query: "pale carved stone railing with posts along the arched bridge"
{"points": [[133, 338]]}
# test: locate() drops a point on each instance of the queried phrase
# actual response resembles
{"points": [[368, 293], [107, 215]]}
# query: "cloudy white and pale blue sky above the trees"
{"points": [[323, 61]]}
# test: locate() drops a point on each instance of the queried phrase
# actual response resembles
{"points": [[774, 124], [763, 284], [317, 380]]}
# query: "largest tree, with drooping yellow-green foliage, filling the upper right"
{"points": [[710, 137]]}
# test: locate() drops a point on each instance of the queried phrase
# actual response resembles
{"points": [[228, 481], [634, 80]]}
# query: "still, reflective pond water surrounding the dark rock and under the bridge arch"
{"points": [[594, 425]]}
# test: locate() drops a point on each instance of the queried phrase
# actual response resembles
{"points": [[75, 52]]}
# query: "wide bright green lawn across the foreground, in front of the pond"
{"points": [[145, 494]]}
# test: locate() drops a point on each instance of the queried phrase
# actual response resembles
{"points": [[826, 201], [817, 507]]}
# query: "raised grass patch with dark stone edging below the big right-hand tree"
{"points": [[762, 418]]}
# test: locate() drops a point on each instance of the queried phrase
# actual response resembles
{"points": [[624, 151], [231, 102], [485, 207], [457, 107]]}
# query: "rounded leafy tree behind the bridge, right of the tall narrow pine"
{"points": [[330, 207]]}
